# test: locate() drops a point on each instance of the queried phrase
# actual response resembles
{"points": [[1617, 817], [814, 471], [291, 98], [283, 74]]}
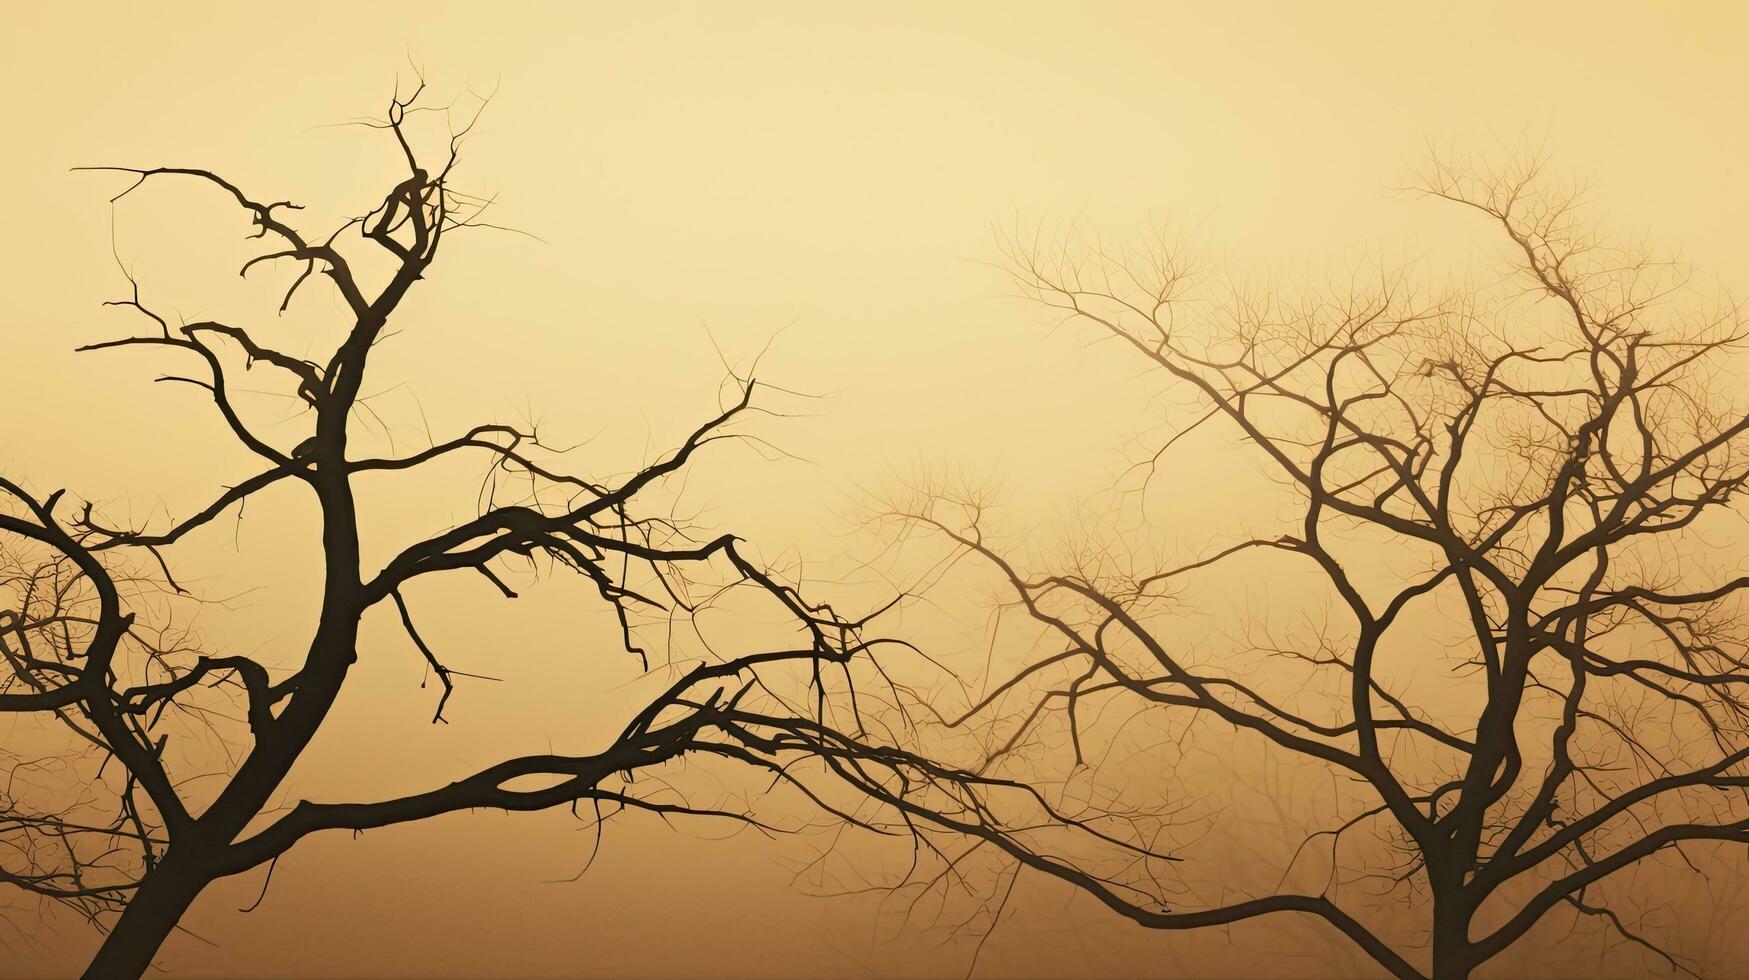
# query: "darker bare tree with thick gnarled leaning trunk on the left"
{"points": [[130, 837]]}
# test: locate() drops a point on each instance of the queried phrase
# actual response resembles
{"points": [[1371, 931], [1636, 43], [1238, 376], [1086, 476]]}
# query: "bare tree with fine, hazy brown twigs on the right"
{"points": [[1517, 503]]}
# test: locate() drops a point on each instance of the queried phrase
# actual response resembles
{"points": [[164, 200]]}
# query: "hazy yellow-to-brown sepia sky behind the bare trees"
{"points": [[692, 178]]}
